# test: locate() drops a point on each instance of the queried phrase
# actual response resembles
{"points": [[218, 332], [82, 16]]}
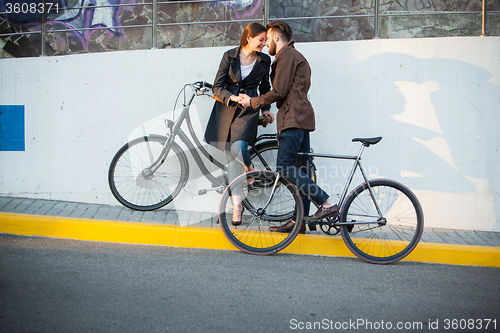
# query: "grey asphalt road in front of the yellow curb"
{"points": [[53, 285]]}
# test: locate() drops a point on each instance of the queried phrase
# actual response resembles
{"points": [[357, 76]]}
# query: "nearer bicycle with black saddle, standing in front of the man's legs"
{"points": [[381, 221]]}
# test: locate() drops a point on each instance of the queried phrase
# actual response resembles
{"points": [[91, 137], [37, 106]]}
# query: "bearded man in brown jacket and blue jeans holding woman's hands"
{"points": [[291, 80]]}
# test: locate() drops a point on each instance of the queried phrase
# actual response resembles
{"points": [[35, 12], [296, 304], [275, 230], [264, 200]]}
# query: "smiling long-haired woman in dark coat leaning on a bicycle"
{"points": [[231, 127]]}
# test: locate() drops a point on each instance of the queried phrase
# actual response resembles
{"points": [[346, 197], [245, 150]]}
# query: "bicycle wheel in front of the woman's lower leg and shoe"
{"points": [[270, 201]]}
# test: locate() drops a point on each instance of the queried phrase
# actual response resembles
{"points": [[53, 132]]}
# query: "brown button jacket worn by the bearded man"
{"points": [[291, 80]]}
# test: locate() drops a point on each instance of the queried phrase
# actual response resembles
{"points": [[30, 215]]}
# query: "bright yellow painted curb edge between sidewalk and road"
{"points": [[213, 238]]}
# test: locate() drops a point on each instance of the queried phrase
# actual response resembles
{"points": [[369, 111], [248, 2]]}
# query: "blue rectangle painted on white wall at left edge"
{"points": [[12, 128]]}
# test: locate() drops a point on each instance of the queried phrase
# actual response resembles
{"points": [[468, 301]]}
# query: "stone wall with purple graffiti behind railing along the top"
{"points": [[127, 24]]}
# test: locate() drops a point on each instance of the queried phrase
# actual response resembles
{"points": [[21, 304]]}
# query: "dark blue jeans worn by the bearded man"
{"points": [[297, 169]]}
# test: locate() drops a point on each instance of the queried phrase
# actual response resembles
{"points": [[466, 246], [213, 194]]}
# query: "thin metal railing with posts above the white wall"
{"points": [[265, 19]]}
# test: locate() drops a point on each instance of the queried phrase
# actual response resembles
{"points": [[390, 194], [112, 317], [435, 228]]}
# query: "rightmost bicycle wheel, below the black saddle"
{"points": [[385, 238]]}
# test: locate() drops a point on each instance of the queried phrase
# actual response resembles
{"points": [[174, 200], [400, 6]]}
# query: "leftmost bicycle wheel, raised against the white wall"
{"points": [[132, 188]]}
